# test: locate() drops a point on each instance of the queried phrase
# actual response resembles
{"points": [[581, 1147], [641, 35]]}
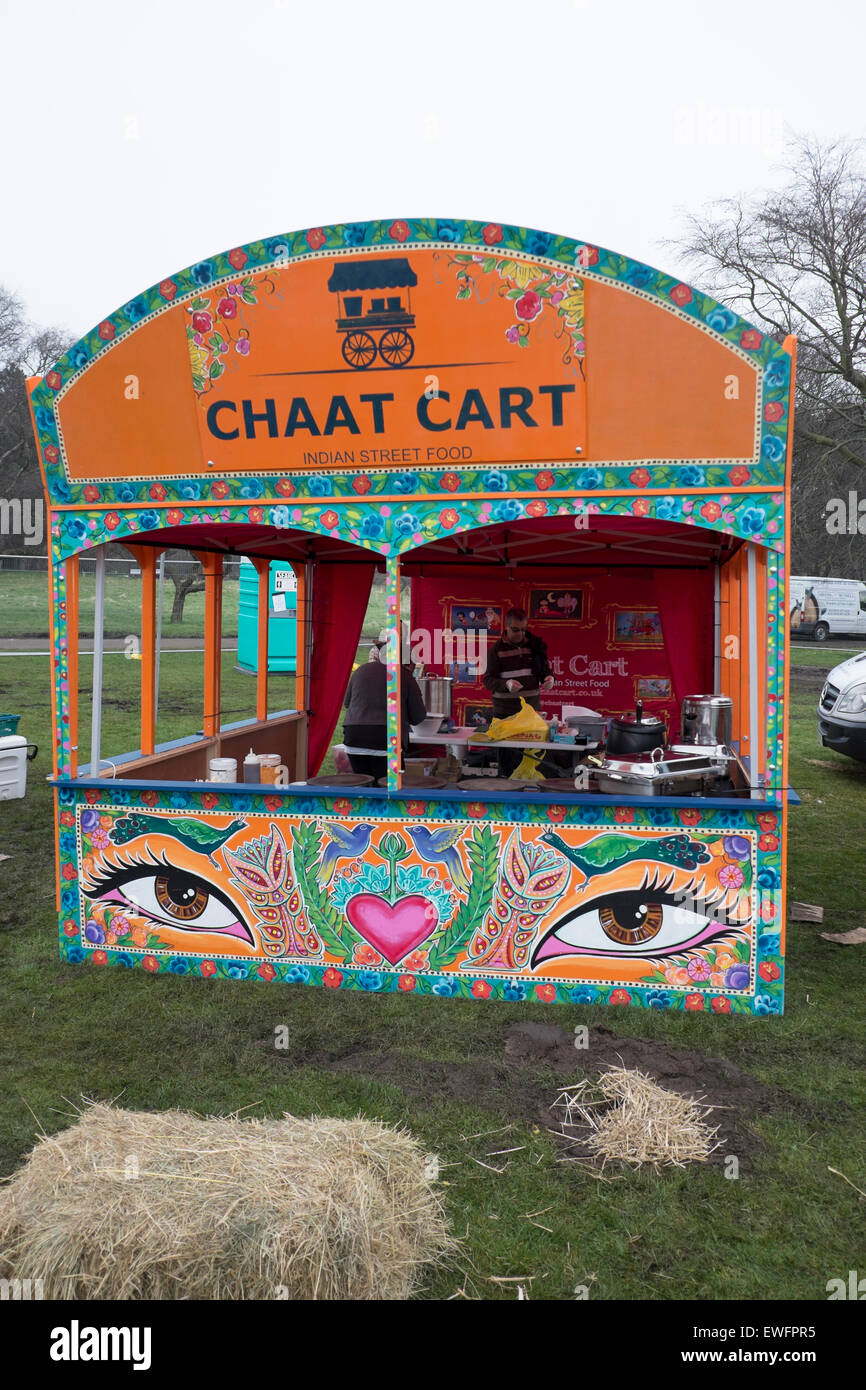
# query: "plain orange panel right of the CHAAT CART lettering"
{"points": [[657, 386]]}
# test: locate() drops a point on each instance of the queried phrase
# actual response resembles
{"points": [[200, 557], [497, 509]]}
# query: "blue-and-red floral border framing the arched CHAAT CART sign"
{"points": [[452, 236]]}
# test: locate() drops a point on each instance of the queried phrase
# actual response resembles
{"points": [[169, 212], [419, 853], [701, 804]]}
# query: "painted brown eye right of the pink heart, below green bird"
{"points": [[646, 922]]}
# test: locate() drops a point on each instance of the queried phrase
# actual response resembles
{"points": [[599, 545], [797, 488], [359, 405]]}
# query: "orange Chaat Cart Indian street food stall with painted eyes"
{"points": [[491, 418]]}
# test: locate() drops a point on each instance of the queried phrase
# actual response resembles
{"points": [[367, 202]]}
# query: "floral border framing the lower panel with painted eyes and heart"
{"points": [[767, 1000]]}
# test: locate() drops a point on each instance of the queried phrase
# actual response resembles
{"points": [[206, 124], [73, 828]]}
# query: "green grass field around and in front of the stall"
{"points": [[781, 1231]]}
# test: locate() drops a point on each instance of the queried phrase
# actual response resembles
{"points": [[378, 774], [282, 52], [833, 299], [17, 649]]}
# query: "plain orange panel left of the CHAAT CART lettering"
{"points": [[111, 433]]}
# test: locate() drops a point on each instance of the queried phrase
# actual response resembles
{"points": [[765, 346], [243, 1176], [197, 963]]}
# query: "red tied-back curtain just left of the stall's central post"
{"points": [[340, 603]]}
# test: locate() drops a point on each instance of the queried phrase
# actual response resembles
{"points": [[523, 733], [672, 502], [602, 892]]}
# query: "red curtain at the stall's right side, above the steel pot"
{"points": [[685, 600]]}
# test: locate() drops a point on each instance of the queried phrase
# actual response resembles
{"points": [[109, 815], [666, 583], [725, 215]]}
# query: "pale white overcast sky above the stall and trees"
{"points": [[142, 137]]}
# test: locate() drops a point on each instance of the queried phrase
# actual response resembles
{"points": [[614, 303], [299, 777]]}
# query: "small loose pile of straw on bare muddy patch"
{"points": [[630, 1117]]}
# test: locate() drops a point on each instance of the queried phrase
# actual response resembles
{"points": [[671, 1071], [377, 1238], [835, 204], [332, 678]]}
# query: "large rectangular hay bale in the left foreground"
{"points": [[134, 1206]]}
